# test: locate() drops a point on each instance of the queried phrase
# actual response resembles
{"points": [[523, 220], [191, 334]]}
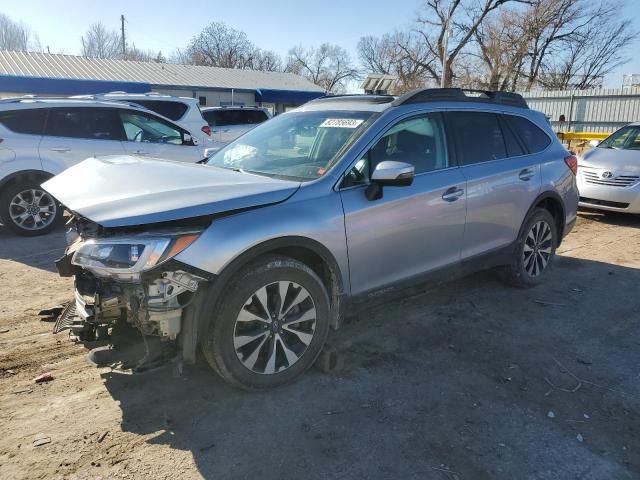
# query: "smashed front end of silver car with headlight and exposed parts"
{"points": [[128, 277]]}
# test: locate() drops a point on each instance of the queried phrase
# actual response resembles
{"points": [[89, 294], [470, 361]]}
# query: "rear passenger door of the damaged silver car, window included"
{"points": [[502, 179]]}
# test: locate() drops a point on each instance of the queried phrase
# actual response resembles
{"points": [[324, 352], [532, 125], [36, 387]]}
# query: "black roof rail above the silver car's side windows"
{"points": [[460, 95]]}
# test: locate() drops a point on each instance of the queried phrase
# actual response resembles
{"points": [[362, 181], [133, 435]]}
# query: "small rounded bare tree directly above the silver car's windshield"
{"points": [[328, 66]]}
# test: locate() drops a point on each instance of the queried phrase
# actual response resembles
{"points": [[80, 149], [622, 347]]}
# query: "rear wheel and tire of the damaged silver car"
{"points": [[529, 269]]}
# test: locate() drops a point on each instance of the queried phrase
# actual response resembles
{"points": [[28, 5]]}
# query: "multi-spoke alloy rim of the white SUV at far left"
{"points": [[32, 209]]}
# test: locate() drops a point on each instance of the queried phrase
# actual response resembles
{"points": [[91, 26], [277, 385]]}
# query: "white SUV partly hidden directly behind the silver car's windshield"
{"points": [[228, 123]]}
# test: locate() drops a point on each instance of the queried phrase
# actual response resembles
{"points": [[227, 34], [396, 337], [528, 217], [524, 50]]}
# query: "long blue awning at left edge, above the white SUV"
{"points": [[67, 86]]}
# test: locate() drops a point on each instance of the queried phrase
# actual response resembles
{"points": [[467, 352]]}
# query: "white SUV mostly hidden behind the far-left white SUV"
{"points": [[184, 111]]}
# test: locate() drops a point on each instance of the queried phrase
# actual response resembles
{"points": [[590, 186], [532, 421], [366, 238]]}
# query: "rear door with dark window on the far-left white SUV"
{"points": [[73, 134]]}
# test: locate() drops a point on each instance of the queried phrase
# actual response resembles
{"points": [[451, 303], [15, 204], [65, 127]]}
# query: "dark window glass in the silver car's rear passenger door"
{"points": [[478, 135]]}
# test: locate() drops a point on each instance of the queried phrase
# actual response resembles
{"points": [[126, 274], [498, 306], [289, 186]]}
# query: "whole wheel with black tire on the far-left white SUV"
{"points": [[29, 228]]}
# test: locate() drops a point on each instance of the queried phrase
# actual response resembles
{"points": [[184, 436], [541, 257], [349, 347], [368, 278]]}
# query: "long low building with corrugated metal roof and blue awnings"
{"points": [[49, 74]]}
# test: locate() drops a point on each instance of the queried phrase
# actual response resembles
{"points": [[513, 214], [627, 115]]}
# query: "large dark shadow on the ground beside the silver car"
{"points": [[456, 382]]}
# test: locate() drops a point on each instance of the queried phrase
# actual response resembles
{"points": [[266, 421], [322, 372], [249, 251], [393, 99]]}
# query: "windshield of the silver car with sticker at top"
{"points": [[300, 145]]}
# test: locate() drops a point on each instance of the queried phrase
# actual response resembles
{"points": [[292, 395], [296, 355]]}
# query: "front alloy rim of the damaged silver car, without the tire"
{"points": [[274, 327]]}
